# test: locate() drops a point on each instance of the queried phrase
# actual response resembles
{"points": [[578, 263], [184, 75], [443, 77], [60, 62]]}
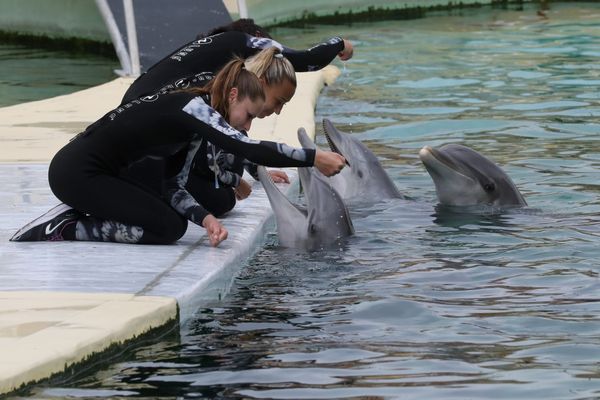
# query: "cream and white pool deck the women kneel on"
{"points": [[61, 303]]}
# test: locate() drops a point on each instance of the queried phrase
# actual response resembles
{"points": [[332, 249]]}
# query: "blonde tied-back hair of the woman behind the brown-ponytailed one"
{"points": [[270, 65]]}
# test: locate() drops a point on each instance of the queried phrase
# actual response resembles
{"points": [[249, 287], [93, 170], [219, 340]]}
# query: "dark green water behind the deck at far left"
{"points": [[28, 74]]}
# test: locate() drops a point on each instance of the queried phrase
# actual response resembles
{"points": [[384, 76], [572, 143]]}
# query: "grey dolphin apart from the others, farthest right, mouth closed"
{"points": [[464, 177]]}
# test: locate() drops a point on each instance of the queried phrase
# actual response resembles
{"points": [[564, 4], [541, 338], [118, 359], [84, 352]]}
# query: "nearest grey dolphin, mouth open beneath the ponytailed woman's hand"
{"points": [[324, 223]]}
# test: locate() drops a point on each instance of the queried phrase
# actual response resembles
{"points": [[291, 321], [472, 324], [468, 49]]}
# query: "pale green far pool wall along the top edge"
{"points": [[81, 20]]}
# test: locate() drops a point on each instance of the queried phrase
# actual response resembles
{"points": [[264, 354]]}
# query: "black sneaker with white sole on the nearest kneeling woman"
{"points": [[49, 226]]}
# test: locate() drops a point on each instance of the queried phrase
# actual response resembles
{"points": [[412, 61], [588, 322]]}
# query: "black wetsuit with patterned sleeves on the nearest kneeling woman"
{"points": [[85, 174]]}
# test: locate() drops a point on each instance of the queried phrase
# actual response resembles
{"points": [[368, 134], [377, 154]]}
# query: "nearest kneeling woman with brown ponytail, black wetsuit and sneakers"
{"points": [[99, 205]]}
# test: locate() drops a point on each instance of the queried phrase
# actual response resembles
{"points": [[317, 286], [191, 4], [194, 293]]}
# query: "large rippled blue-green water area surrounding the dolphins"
{"points": [[422, 304]]}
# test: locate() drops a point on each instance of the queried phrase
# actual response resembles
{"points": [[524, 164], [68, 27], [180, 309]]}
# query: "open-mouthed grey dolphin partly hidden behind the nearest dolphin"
{"points": [[364, 177]]}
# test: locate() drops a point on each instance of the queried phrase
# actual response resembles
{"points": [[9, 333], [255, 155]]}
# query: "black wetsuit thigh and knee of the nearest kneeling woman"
{"points": [[87, 187]]}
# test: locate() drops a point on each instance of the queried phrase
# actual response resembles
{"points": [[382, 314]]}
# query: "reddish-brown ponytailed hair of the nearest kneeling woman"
{"points": [[232, 75]]}
